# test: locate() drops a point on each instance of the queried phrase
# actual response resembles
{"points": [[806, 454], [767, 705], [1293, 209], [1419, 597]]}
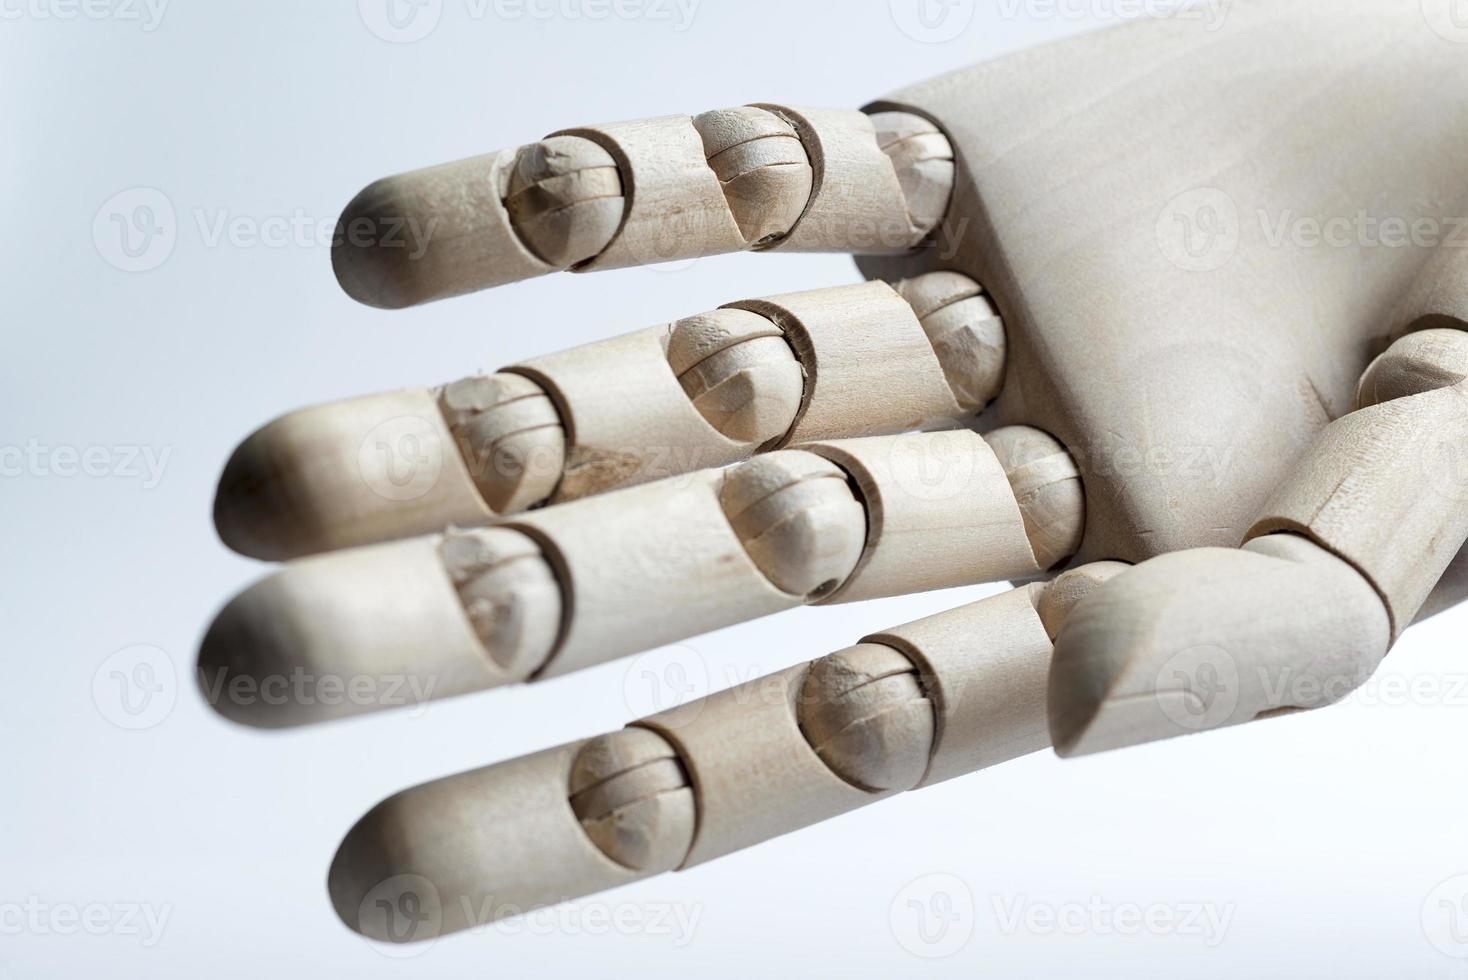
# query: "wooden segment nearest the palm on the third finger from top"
{"points": [[940, 514]]}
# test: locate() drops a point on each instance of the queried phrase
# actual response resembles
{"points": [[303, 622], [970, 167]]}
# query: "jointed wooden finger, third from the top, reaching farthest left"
{"points": [[578, 585]]}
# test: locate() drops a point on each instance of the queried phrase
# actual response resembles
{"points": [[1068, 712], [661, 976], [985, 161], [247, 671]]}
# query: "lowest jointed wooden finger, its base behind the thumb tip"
{"points": [[908, 708]]}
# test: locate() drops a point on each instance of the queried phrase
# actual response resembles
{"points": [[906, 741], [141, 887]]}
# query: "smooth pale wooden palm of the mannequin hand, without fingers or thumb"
{"points": [[1188, 384]]}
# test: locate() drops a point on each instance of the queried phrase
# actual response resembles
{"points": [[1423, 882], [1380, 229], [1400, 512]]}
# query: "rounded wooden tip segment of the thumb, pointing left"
{"points": [[1212, 637]]}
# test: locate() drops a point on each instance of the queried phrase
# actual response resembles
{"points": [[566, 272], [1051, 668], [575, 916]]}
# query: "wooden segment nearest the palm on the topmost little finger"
{"points": [[857, 202]]}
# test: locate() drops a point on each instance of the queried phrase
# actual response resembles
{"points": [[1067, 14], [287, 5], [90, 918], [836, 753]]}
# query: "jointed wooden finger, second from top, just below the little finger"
{"points": [[705, 391]]}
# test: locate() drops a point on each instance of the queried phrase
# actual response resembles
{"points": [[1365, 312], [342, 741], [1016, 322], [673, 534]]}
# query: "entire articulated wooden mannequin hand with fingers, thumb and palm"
{"points": [[1100, 256]]}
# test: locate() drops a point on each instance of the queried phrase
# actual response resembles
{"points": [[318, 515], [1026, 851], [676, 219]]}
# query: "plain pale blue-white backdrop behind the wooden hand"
{"points": [[1319, 838]]}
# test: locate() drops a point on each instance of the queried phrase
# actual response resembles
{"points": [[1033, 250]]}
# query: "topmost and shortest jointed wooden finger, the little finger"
{"points": [[647, 191]]}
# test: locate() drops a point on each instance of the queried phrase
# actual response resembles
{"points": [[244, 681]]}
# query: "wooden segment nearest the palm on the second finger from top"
{"points": [[870, 366]]}
